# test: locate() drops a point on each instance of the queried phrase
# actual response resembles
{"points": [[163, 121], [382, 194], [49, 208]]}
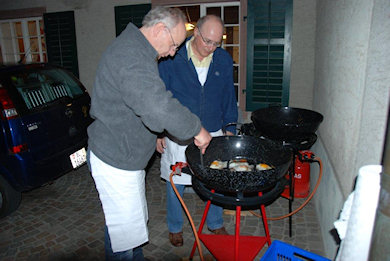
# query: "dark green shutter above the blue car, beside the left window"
{"points": [[60, 34]]}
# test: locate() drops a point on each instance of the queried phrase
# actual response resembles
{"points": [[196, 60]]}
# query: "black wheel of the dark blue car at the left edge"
{"points": [[9, 198]]}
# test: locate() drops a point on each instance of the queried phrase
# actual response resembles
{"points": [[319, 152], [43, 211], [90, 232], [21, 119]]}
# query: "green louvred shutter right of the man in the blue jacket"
{"points": [[268, 53]]}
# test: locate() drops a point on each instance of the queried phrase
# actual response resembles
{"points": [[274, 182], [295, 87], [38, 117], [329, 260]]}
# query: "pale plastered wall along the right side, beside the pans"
{"points": [[351, 90]]}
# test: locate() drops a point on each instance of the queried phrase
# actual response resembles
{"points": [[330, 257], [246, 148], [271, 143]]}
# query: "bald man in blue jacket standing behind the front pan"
{"points": [[200, 76]]}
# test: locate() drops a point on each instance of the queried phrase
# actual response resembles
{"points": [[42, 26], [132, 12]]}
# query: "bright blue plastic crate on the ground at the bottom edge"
{"points": [[280, 251]]}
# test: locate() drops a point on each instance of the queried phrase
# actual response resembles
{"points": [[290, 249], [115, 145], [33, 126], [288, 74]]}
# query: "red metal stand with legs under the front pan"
{"points": [[233, 247]]}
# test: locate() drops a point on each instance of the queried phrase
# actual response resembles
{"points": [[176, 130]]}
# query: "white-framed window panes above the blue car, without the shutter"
{"points": [[22, 41]]}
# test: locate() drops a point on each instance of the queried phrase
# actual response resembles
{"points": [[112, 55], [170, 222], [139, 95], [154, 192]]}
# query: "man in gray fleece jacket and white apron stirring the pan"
{"points": [[129, 105]]}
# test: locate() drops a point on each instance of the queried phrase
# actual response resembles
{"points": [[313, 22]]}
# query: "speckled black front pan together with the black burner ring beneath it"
{"points": [[239, 187]]}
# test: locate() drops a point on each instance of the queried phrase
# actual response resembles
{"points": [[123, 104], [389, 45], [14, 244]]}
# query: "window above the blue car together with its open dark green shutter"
{"points": [[51, 38]]}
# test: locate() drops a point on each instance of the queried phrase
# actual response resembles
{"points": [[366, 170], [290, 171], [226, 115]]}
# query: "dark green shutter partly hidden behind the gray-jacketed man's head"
{"points": [[129, 13]]}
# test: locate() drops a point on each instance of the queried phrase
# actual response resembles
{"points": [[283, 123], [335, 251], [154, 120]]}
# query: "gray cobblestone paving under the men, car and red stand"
{"points": [[64, 221]]}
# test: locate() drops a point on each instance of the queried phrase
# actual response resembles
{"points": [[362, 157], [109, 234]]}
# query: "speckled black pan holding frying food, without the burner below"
{"points": [[253, 149]]}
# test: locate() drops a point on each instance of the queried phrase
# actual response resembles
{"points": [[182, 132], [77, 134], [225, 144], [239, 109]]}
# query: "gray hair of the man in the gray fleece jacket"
{"points": [[166, 15]]}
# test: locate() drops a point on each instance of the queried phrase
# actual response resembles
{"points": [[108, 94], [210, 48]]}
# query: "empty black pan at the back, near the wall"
{"points": [[285, 123]]}
